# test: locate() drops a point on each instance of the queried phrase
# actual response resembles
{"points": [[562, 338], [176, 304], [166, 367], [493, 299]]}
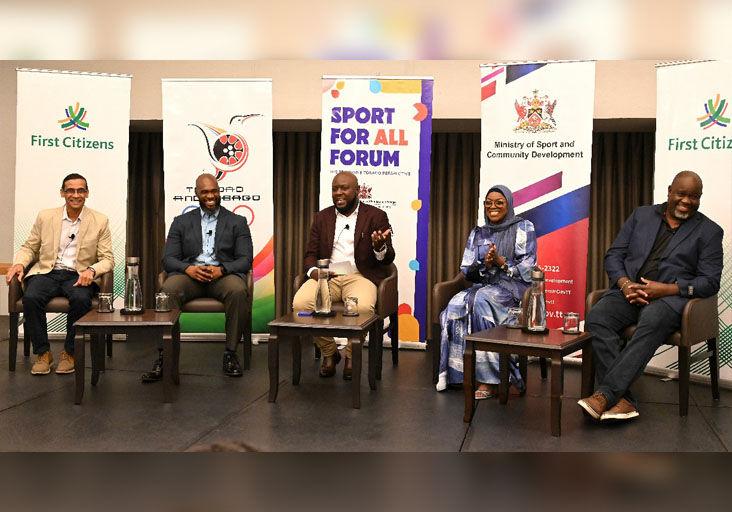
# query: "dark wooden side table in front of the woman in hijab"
{"points": [[553, 345]]}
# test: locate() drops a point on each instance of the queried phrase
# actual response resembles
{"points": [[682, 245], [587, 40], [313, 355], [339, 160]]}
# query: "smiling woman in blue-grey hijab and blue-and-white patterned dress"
{"points": [[498, 259]]}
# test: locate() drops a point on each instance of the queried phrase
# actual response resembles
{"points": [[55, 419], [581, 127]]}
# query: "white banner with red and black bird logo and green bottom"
{"points": [[224, 127]]}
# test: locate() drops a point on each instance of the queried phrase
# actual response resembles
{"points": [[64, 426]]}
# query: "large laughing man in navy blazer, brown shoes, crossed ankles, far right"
{"points": [[663, 256]]}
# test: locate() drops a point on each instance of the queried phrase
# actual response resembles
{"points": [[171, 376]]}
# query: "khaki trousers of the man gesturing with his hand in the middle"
{"points": [[353, 285]]}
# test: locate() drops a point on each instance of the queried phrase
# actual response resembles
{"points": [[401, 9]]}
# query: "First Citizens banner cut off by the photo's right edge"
{"points": [[693, 132]]}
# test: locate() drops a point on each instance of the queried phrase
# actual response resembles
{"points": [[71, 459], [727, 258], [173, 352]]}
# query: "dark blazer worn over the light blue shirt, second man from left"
{"points": [[232, 243]]}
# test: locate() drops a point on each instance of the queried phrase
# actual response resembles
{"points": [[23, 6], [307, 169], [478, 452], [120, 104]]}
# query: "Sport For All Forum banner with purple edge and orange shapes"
{"points": [[380, 129]]}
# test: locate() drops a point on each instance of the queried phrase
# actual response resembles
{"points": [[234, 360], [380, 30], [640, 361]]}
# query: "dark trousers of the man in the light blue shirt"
{"points": [[231, 290]]}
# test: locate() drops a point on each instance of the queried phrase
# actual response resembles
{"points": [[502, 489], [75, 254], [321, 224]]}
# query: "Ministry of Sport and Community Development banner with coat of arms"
{"points": [[536, 138]]}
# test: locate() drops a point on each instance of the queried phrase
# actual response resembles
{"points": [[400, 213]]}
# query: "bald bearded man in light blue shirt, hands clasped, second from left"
{"points": [[207, 254]]}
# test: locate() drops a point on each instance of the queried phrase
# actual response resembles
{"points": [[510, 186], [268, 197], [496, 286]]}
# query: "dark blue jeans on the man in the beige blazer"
{"points": [[39, 290]]}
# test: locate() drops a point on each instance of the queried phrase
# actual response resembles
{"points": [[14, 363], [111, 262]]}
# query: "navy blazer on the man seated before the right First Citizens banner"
{"points": [[692, 260]]}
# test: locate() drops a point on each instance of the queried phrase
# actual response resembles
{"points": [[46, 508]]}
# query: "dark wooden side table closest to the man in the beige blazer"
{"points": [[96, 325]]}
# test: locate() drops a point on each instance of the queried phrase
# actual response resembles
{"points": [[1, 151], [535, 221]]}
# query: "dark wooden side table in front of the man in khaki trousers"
{"points": [[352, 327]]}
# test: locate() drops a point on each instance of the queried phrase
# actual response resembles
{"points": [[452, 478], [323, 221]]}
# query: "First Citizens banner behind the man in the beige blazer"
{"points": [[72, 122]]}
